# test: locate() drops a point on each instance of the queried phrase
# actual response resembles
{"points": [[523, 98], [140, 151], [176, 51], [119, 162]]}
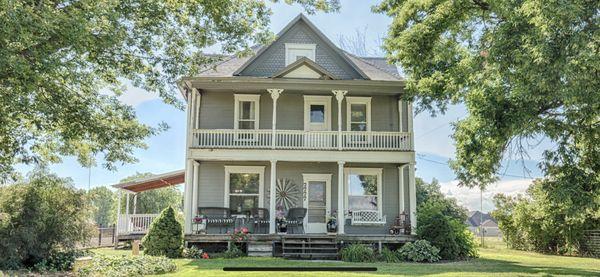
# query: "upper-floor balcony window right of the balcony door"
{"points": [[358, 114]]}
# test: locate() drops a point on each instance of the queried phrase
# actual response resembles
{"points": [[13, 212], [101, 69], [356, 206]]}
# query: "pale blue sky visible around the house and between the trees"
{"points": [[433, 144]]}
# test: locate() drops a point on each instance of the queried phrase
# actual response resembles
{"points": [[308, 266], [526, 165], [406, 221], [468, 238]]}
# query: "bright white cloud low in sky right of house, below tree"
{"points": [[471, 198]]}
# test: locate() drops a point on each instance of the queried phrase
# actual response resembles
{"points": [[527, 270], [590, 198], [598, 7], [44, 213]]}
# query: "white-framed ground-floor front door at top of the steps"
{"points": [[317, 200]]}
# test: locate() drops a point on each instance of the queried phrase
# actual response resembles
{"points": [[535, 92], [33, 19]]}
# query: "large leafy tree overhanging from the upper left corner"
{"points": [[57, 56]]}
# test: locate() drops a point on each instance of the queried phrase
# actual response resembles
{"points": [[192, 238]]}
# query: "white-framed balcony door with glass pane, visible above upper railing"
{"points": [[317, 113]]}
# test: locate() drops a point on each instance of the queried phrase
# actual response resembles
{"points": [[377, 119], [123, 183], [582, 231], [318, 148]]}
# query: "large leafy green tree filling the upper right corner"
{"points": [[524, 70]]}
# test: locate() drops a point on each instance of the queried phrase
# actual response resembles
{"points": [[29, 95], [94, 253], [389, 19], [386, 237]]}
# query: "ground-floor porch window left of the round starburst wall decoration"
{"points": [[244, 187]]}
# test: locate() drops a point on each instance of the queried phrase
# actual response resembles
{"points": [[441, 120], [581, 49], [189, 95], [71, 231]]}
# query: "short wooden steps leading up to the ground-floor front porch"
{"points": [[309, 247]]}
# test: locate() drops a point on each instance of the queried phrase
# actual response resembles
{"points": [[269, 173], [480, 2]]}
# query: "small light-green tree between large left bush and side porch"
{"points": [[102, 200]]}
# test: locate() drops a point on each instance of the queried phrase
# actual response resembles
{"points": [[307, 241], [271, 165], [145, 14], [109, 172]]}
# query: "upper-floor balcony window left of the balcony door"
{"points": [[246, 111]]}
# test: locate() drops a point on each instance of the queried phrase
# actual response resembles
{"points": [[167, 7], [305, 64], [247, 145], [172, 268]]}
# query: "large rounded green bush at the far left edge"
{"points": [[42, 217]]}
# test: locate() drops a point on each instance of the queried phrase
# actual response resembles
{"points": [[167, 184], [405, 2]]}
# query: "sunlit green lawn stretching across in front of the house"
{"points": [[494, 260]]}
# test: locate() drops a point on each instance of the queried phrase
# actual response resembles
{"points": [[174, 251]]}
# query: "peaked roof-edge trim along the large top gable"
{"points": [[313, 28]]}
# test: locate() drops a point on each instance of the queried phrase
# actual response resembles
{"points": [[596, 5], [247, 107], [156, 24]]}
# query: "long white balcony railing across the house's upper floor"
{"points": [[301, 140]]}
